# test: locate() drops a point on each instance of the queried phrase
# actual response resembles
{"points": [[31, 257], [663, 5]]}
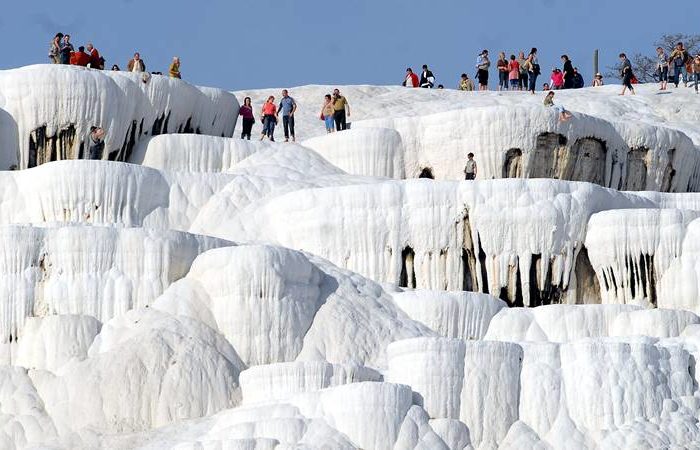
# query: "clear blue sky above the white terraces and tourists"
{"points": [[241, 44]]}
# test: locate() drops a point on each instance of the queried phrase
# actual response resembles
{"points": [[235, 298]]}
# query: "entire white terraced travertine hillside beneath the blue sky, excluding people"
{"points": [[193, 290]]}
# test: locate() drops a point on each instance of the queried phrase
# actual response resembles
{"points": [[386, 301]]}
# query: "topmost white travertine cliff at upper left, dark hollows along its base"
{"points": [[55, 124]]}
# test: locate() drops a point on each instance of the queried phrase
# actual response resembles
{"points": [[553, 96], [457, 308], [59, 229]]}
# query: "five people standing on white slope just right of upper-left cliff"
{"points": [[334, 111]]}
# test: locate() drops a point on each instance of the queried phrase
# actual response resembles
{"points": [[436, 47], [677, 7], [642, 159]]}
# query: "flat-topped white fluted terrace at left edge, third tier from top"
{"points": [[101, 272]]}
